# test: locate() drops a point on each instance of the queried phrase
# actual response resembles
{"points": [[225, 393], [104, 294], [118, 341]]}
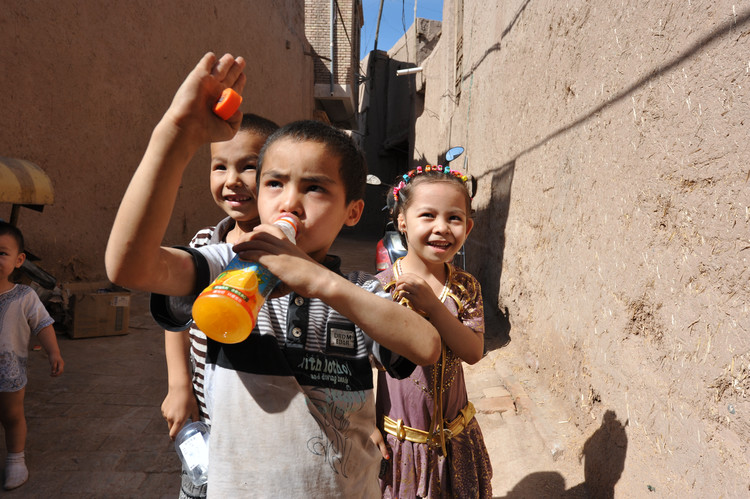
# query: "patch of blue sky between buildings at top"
{"points": [[392, 21]]}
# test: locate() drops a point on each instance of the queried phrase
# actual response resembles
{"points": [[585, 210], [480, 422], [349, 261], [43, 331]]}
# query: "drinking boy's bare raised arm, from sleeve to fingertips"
{"points": [[134, 256]]}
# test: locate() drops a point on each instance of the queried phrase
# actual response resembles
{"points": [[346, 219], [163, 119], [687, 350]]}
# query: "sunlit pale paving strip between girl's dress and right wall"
{"points": [[531, 444]]}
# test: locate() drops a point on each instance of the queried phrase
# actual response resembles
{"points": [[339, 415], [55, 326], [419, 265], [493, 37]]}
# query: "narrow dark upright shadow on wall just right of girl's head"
{"points": [[484, 254]]}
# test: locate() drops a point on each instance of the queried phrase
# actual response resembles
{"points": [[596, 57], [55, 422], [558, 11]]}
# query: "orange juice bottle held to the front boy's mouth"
{"points": [[227, 310]]}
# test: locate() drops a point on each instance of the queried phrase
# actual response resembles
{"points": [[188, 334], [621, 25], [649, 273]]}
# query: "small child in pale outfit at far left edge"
{"points": [[21, 314]]}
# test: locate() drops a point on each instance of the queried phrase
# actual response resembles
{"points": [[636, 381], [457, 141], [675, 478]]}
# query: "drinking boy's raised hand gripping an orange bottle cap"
{"points": [[191, 110]]}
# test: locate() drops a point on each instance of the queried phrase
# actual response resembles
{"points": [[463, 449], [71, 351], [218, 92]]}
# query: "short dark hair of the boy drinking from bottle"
{"points": [[352, 166]]}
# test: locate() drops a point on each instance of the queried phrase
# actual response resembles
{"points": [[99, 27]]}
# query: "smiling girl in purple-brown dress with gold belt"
{"points": [[434, 443]]}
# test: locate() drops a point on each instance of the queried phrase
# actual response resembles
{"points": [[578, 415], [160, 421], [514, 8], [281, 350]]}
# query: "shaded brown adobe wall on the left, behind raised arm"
{"points": [[84, 83]]}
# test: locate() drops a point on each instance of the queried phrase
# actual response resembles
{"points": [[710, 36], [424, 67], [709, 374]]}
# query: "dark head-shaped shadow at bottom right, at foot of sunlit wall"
{"points": [[604, 453]]}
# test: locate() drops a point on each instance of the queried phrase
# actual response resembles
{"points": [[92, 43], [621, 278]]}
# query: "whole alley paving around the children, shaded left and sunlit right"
{"points": [[97, 431]]}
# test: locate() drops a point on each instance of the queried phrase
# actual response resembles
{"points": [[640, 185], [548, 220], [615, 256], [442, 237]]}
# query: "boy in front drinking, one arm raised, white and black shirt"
{"points": [[292, 406]]}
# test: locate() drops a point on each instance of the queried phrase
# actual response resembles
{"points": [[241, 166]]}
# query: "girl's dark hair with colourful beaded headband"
{"points": [[400, 196]]}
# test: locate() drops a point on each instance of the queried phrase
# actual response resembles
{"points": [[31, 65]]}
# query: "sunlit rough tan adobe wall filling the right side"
{"points": [[613, 214]]}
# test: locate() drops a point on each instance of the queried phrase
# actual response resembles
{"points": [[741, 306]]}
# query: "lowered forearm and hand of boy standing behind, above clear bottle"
{"points": [[180, 402]]}
